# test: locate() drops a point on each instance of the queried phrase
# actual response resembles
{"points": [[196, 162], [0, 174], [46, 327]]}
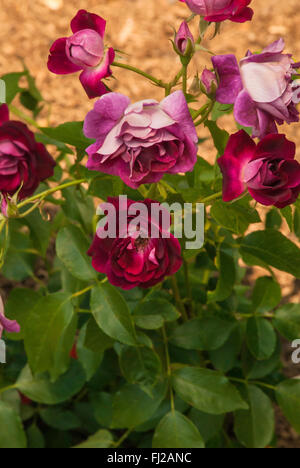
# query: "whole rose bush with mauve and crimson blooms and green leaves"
{"points": [[119, 331]]}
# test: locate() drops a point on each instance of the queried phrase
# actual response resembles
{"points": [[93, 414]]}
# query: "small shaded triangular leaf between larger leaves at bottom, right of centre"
{"points": [[208, 424]]}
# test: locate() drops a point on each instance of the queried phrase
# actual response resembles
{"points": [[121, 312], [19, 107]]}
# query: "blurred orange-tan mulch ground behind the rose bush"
{"points": [[141, 29]]}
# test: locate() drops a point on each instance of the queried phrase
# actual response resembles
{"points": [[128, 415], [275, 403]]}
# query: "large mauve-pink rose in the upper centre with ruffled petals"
{"points": [[141, 142]]}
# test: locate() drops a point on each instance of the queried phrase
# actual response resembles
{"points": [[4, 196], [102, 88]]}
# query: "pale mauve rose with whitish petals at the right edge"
{"points": [[260, 87]]}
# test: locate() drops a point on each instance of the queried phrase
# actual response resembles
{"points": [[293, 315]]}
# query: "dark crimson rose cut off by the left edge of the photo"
{"points": [[23, 161]]}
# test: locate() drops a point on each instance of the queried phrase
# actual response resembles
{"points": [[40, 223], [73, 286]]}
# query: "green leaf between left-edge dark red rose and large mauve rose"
{"points": [[70, 133]]}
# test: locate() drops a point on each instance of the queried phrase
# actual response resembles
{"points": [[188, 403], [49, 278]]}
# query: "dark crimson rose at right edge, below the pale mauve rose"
{"points": [[268, 170]]}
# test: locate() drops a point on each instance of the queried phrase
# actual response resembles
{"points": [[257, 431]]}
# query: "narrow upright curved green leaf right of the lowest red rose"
{"points": [[227, 275]]}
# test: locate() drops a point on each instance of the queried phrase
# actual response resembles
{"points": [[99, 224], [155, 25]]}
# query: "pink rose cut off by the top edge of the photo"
{"points": [[221, 10]]}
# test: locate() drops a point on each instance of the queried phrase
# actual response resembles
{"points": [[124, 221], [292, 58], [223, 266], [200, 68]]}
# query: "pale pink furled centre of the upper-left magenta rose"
{"points": [[85, 48]]}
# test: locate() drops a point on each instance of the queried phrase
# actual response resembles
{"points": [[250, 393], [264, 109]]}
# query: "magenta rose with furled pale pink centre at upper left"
{"points": [[85, 51]]}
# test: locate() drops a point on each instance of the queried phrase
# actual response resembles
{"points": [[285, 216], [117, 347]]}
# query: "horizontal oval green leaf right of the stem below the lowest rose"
{"points": [[204, 334]]}
